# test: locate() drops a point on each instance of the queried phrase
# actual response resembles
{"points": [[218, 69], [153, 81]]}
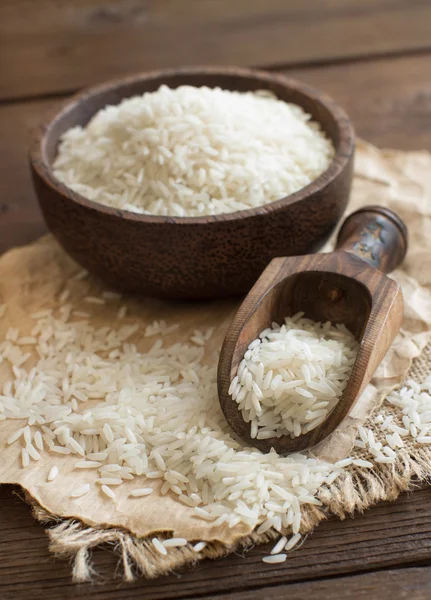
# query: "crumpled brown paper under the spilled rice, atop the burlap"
{"points": [[32, 278]]}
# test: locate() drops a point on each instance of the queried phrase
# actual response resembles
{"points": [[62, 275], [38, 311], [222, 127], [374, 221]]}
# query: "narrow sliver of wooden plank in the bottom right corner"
{"points": [[411, 584]]}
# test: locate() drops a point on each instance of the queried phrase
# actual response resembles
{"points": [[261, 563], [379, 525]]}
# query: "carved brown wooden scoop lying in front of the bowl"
{"points": [[346, 286]]}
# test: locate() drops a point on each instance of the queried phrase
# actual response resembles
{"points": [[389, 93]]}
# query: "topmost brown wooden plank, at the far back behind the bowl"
{"points": [[56, 46]]}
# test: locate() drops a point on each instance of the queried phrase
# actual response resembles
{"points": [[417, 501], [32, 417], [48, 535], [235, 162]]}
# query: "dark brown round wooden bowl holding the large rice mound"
{"points": [[192, 257]]}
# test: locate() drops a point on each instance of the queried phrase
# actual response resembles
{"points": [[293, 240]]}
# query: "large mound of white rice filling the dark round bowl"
{"points": [[193, 151]]}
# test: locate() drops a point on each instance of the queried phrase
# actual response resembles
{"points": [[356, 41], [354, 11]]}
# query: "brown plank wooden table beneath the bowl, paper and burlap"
{"points": [[373, 57]]}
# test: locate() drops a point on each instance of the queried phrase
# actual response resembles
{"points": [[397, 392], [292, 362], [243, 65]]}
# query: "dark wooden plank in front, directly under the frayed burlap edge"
{"points": [[387, 536]]}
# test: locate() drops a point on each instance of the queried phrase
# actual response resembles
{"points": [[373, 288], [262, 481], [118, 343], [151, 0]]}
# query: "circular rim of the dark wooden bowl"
{"points": [[343, 153]]}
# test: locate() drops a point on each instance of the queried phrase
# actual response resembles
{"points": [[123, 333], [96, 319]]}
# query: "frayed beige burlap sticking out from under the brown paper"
{"points": [[356, 490]]}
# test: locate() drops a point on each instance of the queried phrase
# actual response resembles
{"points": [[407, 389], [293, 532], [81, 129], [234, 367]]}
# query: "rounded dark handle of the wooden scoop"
{"points": [[377, 235]]}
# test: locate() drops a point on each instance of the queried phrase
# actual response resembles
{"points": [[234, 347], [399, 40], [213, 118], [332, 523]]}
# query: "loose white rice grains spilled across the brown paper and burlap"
{"points": [[140, 419]]}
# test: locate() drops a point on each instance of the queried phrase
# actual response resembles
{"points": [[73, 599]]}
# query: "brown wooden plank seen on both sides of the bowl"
{"points": [[383, 111]]}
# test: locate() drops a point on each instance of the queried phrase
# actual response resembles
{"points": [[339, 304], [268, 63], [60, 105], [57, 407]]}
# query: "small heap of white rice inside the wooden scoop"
{"points": [[292, 376]]}
